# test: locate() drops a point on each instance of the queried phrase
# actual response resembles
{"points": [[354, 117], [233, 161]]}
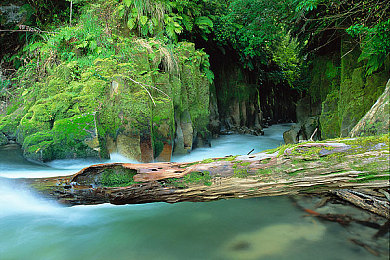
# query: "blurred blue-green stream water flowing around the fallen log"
{"points": [[262, 228]]}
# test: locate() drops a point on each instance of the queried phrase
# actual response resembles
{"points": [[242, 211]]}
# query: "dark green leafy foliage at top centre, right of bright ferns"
{"points": [[249, 27]]}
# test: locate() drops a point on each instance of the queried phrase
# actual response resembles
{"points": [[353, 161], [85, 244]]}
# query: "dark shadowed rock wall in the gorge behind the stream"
{"points": [[244, 103]]}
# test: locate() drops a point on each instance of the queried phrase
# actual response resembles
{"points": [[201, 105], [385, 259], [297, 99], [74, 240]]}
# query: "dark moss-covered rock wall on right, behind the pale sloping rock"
{"points": [[340, 86]]}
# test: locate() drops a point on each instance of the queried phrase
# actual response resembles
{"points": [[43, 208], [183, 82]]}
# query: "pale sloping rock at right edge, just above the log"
{"points": [[376, 120]]}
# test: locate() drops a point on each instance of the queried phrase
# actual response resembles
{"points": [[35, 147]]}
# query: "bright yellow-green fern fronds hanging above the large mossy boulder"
{"points": [[166, 19]]}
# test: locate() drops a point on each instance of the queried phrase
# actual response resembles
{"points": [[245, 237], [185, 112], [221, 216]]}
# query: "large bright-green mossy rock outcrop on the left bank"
{"points": [[122, 105]]}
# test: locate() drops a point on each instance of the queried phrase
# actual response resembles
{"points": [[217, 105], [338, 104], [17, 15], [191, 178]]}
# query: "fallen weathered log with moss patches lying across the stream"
{"points": [[313, 167]]}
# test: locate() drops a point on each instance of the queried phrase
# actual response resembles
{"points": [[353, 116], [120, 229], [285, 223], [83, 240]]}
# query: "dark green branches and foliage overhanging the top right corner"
{"points": [[318, 24]]}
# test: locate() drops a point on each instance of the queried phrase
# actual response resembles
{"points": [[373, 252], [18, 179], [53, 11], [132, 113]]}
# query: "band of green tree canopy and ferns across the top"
{"points": [[263, 34]]}
